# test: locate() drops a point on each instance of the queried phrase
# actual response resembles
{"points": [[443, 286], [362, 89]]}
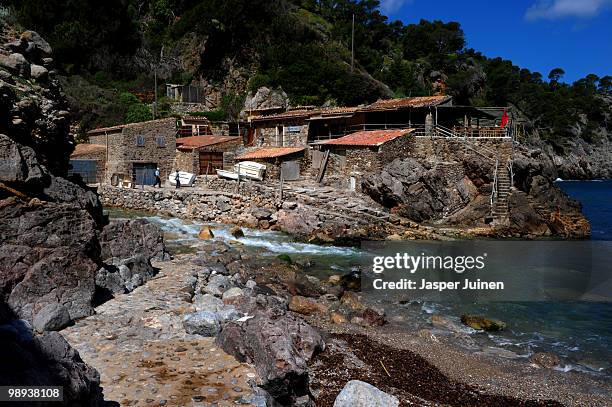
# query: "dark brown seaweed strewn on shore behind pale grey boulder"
{"points": [[402, 373]]}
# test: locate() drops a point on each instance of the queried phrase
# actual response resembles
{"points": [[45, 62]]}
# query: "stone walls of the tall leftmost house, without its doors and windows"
{"points": [[123, 151]]}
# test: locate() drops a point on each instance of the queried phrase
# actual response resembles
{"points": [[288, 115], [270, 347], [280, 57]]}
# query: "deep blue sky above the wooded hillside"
{"points": [[575, 35]]}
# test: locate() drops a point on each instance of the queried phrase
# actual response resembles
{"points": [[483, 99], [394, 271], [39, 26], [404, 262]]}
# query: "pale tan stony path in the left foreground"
{"points": [[137, 343]]}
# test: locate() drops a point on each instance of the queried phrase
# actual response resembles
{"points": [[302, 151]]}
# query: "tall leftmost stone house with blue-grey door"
{"points": [[134, 150]]}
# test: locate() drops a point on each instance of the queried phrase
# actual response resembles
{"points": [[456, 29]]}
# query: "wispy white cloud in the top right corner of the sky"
{"points": [[555, 9]]}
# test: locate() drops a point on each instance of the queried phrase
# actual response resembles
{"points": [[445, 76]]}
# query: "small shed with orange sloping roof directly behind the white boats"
{"points": [[288, 161]]}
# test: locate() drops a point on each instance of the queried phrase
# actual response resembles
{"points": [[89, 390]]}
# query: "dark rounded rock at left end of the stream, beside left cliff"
{"points": [[126, 238]]}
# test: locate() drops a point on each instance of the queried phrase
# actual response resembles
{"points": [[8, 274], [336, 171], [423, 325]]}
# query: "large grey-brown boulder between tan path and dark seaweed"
{"points": [[279, 345]]}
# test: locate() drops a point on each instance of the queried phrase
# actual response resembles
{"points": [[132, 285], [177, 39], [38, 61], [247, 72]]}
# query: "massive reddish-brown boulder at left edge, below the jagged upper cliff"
{"points": [[48, 255]]}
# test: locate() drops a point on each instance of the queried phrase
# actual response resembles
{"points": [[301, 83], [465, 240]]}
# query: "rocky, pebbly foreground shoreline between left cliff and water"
{"points": [[303, 338]]}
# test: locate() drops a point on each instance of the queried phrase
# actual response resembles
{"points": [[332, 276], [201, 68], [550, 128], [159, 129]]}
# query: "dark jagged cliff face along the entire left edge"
{"points": [[49, 226]]}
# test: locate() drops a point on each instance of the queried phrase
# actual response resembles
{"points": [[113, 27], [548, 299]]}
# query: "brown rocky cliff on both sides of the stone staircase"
{"points": [[455, 191]]}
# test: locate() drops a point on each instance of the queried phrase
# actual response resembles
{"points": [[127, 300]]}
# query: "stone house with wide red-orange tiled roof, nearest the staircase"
{"points": [[363, 151]]}
